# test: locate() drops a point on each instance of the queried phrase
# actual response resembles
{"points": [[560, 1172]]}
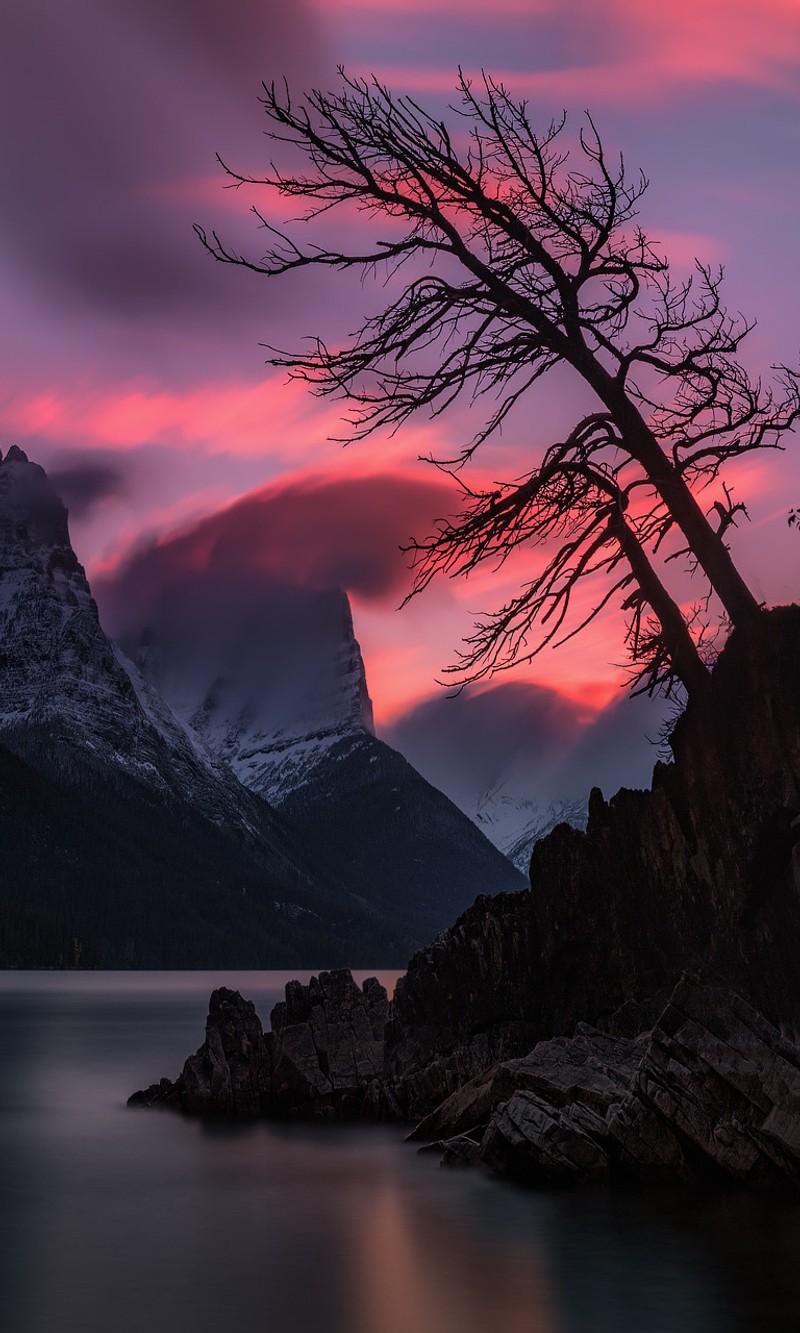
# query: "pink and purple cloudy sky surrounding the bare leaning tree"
{"points": [[131, 358]]}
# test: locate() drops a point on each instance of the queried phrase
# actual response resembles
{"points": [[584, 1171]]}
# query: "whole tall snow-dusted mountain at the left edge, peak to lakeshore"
{"points": [[119, 827]]}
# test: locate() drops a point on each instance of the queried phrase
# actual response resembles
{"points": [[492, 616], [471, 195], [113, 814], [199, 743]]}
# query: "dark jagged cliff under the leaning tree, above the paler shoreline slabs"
{"points": [[705, 867]]}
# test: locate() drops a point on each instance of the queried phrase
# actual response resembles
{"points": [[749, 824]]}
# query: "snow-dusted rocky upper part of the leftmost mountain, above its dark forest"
{"points": [[63, 679]]}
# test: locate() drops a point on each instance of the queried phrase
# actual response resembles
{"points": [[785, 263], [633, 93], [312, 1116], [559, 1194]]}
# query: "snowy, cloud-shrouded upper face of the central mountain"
{"points": [[273, 688]]}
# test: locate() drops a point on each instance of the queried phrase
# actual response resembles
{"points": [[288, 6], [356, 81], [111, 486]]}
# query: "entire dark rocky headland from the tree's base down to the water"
{"points": [[545, 1032]]}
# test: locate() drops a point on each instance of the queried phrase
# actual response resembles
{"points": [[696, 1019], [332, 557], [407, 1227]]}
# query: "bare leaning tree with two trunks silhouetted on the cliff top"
{"points": [[509, 255]]}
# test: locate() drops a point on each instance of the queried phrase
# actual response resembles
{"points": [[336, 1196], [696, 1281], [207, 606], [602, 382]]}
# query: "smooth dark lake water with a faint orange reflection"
{"points": [[121, 1222]]}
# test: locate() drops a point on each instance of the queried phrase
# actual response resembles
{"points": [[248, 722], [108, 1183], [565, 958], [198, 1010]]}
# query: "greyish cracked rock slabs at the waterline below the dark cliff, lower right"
{"points": [[714, 1098]]}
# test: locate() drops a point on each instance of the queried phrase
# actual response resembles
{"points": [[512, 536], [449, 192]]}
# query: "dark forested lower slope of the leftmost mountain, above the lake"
{"points": [[101, 876]]}
